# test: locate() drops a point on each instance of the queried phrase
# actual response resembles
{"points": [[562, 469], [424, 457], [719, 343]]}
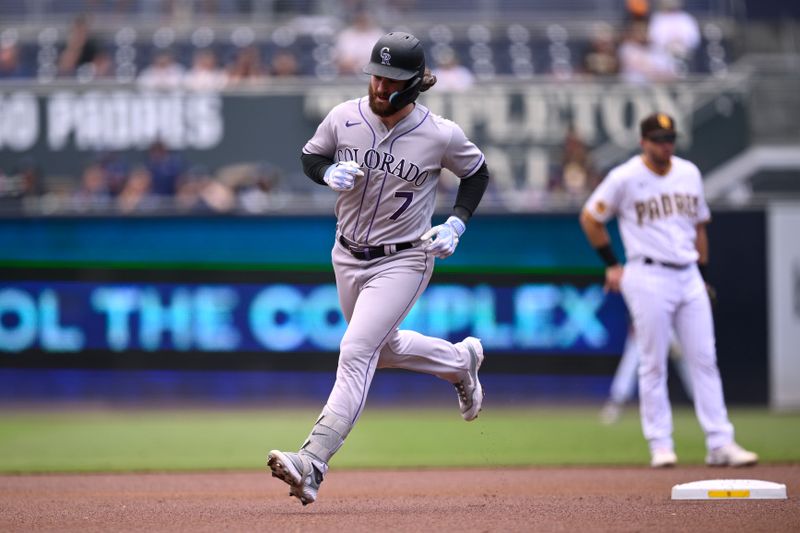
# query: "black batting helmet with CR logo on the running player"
{"points": [[399, 56]]}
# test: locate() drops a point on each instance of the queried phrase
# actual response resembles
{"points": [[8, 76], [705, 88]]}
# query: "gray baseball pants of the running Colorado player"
{"points": [[375, 296]]}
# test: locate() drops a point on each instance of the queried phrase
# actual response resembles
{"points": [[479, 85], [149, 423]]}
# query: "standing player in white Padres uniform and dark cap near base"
{"points": [[658, 200]]}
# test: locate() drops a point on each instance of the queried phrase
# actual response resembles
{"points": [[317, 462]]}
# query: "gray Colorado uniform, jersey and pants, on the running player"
{"points": [[391, 204]]}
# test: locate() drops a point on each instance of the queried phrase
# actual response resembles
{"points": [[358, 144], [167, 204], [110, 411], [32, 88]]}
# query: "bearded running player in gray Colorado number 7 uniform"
{"points": [[383, 154]]}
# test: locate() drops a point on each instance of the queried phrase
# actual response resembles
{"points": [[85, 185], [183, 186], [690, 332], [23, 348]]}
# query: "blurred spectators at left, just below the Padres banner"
{"points": [[161, 182]]}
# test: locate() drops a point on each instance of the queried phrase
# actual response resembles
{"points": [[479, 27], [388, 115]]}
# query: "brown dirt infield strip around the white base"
{"points": [[512, 499]]}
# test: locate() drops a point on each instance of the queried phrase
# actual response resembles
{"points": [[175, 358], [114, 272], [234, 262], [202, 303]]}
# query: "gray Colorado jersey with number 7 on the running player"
{"points": [[394, 201]]}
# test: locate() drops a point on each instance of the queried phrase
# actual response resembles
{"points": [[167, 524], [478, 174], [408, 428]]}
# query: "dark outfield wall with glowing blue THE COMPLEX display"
{"points": [[120, 297]]}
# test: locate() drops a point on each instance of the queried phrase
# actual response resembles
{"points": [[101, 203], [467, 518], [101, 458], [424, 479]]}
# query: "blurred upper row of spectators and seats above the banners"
{"points": [[658, 42]]}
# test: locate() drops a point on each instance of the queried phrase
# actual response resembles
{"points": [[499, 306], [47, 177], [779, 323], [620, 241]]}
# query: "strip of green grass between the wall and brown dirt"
{"points": [[193, 439]]}
